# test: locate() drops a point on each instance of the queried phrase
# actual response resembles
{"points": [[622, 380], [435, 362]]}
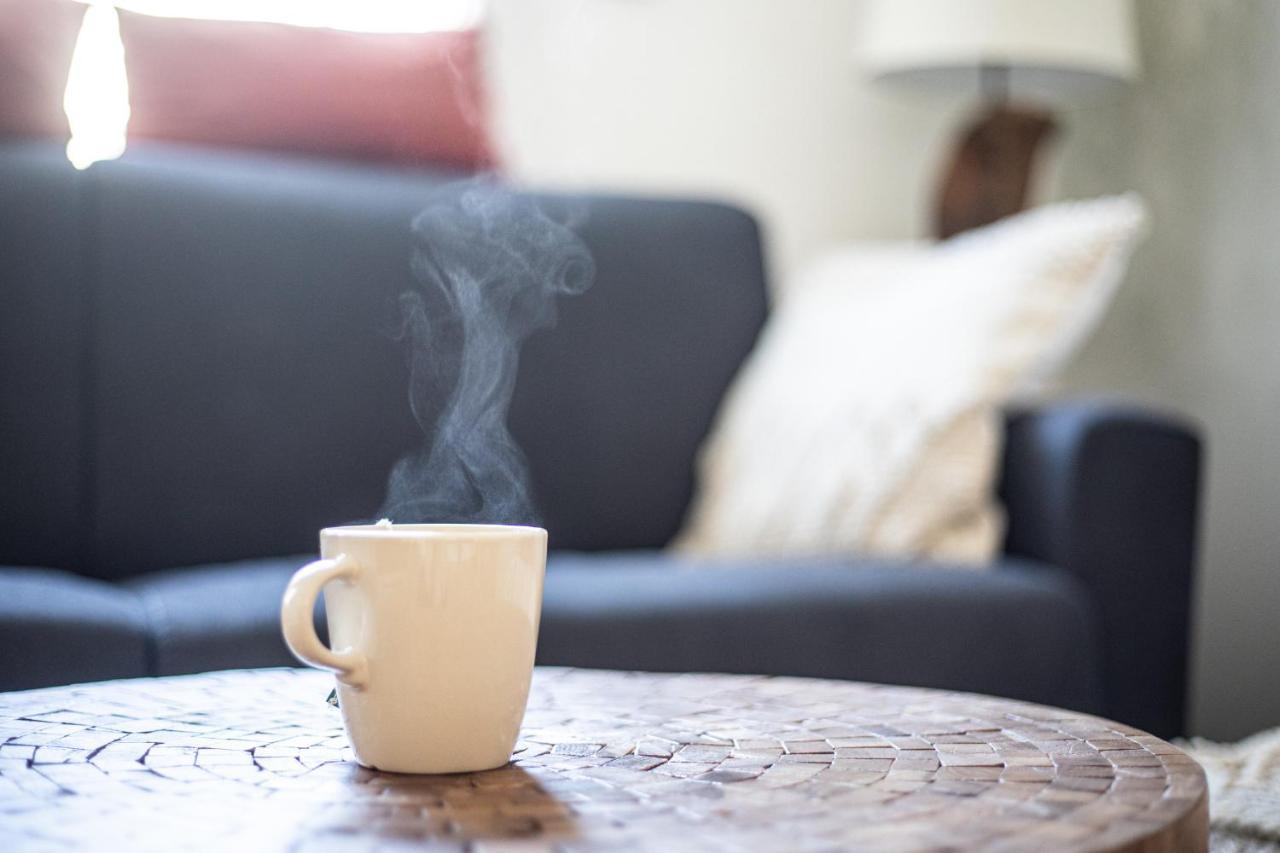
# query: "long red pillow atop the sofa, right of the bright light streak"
{"points": [[408, 98]]}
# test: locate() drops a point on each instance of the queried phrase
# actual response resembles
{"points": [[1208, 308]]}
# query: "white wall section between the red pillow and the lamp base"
{"points": [[755, 102]]}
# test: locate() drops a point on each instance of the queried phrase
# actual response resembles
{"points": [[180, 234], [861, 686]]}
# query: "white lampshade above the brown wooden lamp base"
{"points": [[1057, 51]]}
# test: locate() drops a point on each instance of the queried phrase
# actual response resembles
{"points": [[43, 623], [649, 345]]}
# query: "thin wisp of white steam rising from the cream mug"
{"points": [[490, 267]]}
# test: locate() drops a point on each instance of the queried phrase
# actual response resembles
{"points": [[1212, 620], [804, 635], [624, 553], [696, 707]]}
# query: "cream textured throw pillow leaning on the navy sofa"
{"points": [[868, 418]]}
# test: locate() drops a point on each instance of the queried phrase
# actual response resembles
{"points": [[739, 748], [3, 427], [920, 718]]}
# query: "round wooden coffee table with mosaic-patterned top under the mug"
{"points": [[258, 760]]}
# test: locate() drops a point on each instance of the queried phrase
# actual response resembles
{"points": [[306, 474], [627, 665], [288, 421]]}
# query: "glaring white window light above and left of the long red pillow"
{"points": [[98, 90]]}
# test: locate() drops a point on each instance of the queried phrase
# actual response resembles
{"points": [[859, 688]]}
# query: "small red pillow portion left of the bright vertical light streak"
{"points": [[36, 43]]}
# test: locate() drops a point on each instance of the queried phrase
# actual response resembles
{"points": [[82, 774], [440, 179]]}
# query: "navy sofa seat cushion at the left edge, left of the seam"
{"points": [[58, 628]]}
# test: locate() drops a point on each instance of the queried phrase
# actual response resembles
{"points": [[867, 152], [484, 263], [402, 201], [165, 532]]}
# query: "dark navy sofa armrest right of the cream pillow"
{"points": [[1110, 494]]}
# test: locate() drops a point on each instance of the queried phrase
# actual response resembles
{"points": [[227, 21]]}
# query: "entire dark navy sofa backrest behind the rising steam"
{"points": [[208, 340]]}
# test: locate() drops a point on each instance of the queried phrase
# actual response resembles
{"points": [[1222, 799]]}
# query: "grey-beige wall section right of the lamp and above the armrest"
{"points": [[1197, 327]]}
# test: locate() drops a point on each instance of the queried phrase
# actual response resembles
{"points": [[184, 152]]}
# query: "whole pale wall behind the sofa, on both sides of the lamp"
{"points": [[764, 103]]}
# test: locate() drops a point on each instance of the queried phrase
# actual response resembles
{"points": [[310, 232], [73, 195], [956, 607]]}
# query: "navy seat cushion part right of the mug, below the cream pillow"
{"points": [[1022, 631]]}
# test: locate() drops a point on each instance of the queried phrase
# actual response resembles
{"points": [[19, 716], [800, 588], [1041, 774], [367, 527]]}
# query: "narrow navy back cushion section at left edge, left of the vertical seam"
{"points": [[43, 357]]}
